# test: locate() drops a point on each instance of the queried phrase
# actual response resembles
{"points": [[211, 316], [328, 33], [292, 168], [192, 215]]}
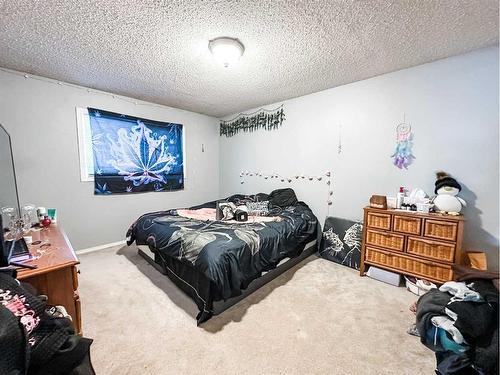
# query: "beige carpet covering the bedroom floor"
{"points": [[317, 318]]}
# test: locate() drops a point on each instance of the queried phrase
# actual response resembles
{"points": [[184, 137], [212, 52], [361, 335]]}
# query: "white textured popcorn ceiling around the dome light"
{"points": [[156, 50]]}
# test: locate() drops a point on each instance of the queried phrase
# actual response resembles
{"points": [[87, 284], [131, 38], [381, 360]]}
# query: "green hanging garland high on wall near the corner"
{"points": [[249, 122]]}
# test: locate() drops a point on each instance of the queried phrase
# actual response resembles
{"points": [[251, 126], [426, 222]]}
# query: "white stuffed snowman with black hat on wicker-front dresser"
{"points": [[446, 199]]}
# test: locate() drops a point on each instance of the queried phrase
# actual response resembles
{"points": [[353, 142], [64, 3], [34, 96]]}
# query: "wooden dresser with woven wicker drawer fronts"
{"points": [[410, 243]]}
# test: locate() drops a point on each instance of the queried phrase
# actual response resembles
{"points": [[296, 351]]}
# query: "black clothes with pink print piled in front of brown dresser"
{"points": [[36, 339]]}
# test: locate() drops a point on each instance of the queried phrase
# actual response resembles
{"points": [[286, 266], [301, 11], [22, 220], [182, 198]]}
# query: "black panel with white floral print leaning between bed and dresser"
{"points": [[341, 241]]}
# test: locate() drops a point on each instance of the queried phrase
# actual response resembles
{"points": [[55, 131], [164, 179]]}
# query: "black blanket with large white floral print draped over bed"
{"points": [[214, 260]]}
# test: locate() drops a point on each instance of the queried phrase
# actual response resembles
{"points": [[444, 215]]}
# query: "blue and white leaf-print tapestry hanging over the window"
{"points": [[132, 154]]}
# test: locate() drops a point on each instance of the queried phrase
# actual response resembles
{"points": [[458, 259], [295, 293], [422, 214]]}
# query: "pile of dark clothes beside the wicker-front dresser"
{"points": [[459, 322]]}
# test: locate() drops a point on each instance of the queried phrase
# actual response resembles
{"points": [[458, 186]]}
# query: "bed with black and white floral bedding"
{"points": [[217, 263]]}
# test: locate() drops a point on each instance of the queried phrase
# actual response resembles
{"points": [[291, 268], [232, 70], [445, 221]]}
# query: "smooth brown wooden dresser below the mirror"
{"points": [[57, 273]]}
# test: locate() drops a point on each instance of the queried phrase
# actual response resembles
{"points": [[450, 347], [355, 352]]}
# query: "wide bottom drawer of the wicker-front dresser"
{"points": [[413, 266]]}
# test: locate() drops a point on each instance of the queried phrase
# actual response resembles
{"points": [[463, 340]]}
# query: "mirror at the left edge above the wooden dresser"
{"points": [[8, 185]]}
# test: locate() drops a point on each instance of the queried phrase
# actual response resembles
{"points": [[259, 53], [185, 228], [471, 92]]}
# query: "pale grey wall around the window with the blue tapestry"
{"points": [[41, 120]]}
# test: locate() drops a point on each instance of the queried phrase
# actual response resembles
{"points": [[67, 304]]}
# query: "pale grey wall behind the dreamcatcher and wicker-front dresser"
{"points": [[452, 105]]}
